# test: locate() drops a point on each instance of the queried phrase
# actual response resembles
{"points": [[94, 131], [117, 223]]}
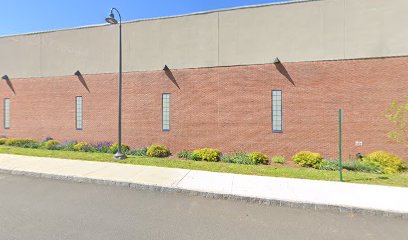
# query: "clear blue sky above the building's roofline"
{"points": [[23, 16]]}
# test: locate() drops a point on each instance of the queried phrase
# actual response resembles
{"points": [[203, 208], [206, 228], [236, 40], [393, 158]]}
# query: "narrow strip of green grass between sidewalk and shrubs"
{"points": [[261, 170]]}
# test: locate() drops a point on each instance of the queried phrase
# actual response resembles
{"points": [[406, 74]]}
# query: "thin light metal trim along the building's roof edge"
{"points": [[164, 17]]}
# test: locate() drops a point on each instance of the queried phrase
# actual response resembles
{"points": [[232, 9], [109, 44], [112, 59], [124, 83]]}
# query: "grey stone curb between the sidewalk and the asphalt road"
{"points": [[212, 195]]}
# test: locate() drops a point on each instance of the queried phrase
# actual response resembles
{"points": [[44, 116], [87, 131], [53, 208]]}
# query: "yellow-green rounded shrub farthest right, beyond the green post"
{"points": [[386, 162]]}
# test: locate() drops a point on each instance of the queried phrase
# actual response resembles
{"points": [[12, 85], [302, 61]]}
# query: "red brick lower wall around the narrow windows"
{"points": [[225, 107]]}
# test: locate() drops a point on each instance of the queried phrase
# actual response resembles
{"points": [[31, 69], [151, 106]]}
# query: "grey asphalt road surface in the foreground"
{"points": [[34, 208]]}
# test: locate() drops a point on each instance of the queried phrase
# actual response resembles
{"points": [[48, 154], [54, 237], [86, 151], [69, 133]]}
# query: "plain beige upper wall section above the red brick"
{"points": [[303, 31]]}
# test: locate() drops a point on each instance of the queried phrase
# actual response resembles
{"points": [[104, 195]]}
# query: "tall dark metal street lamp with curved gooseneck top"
{"points": [[111, 19]]}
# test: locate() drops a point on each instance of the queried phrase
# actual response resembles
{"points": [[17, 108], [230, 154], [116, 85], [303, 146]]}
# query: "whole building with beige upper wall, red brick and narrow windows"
{"points": [[218, 92]]}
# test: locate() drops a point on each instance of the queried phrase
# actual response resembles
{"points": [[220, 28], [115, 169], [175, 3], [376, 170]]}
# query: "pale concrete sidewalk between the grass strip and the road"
{"points": [[379, 200]]}
